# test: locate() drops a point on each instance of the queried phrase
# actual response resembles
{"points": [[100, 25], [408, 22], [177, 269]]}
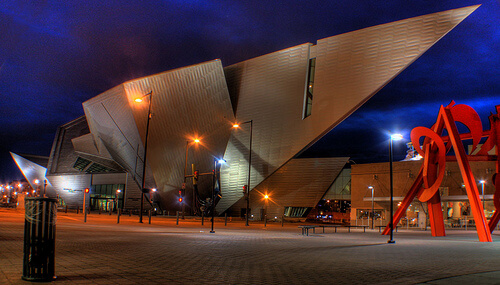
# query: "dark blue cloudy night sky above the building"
{"points": [[54, 55]]}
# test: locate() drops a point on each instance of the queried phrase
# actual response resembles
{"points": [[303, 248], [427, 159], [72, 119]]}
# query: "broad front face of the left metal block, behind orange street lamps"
{"points": [[187, 103]]}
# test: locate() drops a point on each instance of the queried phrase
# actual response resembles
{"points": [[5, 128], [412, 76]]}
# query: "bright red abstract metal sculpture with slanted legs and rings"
{"points": [[434, 149]]}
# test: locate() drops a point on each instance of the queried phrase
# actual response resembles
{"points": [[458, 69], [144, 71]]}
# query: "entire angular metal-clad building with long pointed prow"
{"points": [[284, 102]]}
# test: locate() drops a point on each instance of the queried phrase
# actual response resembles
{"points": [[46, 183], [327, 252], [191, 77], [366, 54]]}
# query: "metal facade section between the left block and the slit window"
{"points": [[270, 91]]}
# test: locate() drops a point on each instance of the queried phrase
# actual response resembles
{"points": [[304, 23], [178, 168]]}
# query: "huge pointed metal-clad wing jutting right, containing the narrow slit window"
{"points": [[350, 69]]}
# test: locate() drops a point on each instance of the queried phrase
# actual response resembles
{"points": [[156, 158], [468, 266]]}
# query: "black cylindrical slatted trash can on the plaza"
{"points": [[39, 239]]}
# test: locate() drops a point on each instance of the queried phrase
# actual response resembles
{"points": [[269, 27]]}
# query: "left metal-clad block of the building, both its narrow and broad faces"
{"points": [[187, 103]]}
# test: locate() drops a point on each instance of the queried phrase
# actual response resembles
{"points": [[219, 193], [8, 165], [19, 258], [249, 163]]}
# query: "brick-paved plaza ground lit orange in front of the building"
{"points": [[103, 252]]}
